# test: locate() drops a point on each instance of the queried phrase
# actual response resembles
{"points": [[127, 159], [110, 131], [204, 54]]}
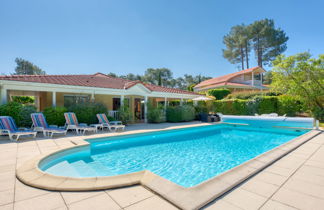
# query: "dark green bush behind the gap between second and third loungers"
{"points": [[55, 115]]}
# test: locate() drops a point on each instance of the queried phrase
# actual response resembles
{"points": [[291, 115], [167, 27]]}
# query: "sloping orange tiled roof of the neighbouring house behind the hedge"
{"points": [[226, 78]]}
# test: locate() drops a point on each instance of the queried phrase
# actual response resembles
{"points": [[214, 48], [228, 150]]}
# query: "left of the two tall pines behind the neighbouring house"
{"points": [[237, 44]]}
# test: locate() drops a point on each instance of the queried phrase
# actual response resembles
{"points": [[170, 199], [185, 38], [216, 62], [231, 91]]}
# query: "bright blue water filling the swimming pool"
{"points": [[185, 156]]}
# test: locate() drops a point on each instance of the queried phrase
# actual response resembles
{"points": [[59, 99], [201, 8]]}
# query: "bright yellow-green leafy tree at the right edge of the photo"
{"points": [[303, 76]]}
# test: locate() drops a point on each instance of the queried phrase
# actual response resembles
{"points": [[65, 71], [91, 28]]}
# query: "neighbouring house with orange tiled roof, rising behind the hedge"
{"points": [[248, 79]]}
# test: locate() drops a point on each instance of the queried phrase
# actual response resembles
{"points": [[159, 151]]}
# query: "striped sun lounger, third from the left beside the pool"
{"points": [[73, 124]]}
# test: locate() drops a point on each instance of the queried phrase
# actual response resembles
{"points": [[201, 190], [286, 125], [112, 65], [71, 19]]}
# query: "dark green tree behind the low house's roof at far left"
{"points": [[25, 67]]}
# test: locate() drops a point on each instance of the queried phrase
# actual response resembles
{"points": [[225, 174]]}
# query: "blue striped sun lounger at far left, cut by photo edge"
{"points": [[8, 127]]}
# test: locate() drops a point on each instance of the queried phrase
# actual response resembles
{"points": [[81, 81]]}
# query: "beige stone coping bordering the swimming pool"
{"points": [[185, 198]]}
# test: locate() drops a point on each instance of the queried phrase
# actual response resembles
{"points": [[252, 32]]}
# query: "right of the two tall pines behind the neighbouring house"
{"points": [[268, 42]]}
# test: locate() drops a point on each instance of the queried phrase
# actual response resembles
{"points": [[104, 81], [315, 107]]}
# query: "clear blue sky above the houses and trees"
{"points": [[129, 36]]}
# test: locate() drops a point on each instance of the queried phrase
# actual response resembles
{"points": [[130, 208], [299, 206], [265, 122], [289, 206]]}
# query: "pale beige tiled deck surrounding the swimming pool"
{"points": [[294, 182]]}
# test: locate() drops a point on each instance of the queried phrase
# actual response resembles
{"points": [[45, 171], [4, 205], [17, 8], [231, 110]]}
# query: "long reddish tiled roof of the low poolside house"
{"points": [[98, 80]]}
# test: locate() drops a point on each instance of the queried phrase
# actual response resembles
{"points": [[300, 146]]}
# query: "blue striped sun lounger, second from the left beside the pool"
{"points": [[40, 125]]}
